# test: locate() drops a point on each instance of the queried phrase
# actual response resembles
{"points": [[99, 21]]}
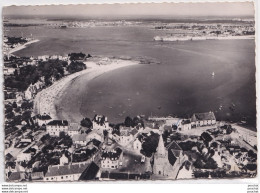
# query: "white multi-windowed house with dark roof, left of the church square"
{"points": [[111, 159]]}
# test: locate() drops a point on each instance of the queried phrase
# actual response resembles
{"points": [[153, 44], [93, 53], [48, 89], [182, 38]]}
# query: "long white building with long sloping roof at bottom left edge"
{"points": [[70, 172]]}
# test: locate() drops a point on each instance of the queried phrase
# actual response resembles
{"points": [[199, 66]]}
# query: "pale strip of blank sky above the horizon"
{"points": [[149, 9]]}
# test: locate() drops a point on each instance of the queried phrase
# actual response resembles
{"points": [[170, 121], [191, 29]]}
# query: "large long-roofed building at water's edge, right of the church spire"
{"points": [[203, 119]]}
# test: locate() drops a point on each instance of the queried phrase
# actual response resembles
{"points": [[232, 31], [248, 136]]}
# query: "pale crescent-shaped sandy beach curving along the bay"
{"points": [[46, 101]]}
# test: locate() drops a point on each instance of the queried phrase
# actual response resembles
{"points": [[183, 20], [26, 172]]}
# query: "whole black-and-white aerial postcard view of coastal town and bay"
{"points": [[133, 92]]}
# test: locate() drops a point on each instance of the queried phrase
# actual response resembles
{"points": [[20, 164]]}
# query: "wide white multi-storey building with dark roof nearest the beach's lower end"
{"points": [[55, 127]]}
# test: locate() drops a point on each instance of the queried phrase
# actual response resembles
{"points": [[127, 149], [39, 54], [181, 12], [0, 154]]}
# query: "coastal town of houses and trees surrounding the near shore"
{"points": [[40, 147]]}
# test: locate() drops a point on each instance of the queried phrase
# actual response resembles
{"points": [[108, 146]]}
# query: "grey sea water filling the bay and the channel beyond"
{"points": [[180, 85]]}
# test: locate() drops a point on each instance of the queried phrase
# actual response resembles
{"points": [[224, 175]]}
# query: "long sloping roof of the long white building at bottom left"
{"points": [[66, 169]]}
